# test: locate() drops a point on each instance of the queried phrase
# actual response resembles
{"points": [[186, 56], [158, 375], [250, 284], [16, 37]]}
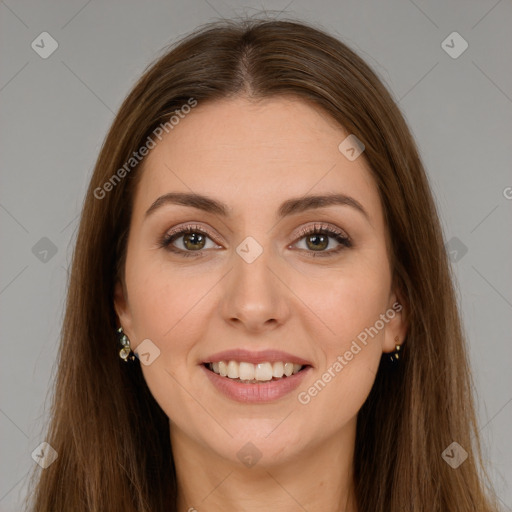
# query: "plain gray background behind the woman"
{"points": [[55, 113]]}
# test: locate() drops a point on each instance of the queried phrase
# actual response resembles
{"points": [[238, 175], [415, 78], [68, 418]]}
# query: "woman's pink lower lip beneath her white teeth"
{"points": [[265, 392]]}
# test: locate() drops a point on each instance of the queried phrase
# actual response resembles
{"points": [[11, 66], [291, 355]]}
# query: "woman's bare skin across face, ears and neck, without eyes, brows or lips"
{"points": [[253, 156]]}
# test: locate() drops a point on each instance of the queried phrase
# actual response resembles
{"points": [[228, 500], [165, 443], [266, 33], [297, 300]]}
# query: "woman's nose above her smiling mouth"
{"points": [[255, 298]]}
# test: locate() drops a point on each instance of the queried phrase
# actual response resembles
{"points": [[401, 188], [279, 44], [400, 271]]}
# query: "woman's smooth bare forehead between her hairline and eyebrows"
{"points": [[254, 155]]}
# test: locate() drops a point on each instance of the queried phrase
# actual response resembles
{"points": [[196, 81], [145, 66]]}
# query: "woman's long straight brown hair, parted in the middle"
{"points": [[111, 436]]}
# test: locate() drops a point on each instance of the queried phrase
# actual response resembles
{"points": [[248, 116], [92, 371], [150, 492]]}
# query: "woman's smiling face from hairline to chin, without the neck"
{"points": [[252, 281]]}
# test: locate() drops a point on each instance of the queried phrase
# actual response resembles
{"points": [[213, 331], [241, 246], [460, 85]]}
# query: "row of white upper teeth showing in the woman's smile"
{"points": [[254, 372]]}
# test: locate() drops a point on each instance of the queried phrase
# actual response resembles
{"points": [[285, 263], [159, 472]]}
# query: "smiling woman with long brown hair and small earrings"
{"points": [[260, 234]]}
